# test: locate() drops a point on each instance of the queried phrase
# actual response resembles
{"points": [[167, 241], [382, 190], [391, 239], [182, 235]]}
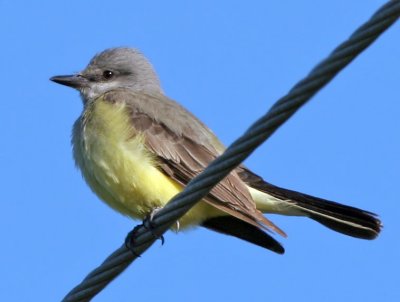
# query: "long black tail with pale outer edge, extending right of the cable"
{"points": [[338, 217]]}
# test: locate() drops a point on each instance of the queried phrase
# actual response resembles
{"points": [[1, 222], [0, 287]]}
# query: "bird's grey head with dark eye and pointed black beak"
{"points": [[112, 69]]}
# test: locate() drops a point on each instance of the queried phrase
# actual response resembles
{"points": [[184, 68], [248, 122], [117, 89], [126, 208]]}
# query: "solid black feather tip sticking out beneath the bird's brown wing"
{"points": [[233, 226]]}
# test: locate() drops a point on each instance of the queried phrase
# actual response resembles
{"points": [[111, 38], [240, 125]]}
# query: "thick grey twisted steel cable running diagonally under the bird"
{"points": [[261, 130]]}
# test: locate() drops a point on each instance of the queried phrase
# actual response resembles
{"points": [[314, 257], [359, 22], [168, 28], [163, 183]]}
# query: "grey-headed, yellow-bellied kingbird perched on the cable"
{"points": [[137, 148]]}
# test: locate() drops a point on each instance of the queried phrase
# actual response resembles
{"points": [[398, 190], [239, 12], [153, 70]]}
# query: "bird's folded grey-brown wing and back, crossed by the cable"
{"points": [[184, 148]]}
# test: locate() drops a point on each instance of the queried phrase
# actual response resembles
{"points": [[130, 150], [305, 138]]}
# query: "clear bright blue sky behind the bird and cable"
{"points": [[226, 61]]}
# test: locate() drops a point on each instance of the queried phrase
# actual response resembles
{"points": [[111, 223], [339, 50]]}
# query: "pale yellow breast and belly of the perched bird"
{"points": [[120, 170]]}
